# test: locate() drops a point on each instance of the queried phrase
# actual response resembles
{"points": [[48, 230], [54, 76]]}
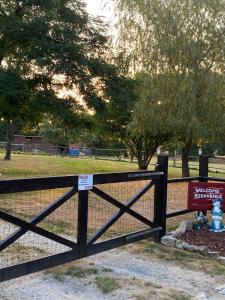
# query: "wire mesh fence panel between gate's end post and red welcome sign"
{"points": [[177, 194]]}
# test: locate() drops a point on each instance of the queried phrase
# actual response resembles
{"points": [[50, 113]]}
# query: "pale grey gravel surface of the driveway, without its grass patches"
{"points": [[135, 273]]}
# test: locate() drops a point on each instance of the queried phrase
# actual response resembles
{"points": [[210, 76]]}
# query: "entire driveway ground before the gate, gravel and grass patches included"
{"points": [[139, 271]]}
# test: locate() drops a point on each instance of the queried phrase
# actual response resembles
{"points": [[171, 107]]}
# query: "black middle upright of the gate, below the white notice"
{"points": [[82, 223]]}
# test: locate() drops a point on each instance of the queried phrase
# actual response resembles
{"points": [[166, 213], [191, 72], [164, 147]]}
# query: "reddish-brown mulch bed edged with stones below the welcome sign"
{"points": [[215, 241]]}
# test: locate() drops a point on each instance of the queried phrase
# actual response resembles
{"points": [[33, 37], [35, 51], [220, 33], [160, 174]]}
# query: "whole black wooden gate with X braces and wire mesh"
{"points": [[28, 230]]}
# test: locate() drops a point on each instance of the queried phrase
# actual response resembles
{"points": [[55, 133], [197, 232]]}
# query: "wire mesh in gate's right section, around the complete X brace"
{"points": [[100, 211]]}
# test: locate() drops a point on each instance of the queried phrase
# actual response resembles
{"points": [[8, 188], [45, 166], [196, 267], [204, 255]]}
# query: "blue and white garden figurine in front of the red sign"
{"points": [[216, 213]]}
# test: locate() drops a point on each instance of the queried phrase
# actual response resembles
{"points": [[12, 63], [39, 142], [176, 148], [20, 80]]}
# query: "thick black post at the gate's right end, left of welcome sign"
{"points": [[160, 197]]}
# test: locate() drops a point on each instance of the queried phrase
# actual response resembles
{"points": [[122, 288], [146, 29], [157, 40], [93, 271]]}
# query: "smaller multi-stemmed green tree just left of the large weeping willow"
{"points": [[151, 125]]}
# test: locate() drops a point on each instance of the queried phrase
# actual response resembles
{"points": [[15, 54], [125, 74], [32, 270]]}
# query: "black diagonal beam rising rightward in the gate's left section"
{"points": [[37, 219]]}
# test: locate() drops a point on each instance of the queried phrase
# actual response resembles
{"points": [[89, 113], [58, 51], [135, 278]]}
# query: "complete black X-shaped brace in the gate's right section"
{"points": [[123, 209]]}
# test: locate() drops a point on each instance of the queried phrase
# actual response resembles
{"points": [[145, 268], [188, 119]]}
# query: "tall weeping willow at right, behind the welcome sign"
{"points": [[185, 41]]}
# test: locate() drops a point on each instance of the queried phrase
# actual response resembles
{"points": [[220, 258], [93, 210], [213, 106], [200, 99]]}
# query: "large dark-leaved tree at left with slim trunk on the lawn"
{"points": [[46, 46]]}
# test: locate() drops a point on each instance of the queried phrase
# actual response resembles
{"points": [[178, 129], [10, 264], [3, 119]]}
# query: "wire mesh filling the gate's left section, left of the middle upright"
{"points": [[27, 205]]}
